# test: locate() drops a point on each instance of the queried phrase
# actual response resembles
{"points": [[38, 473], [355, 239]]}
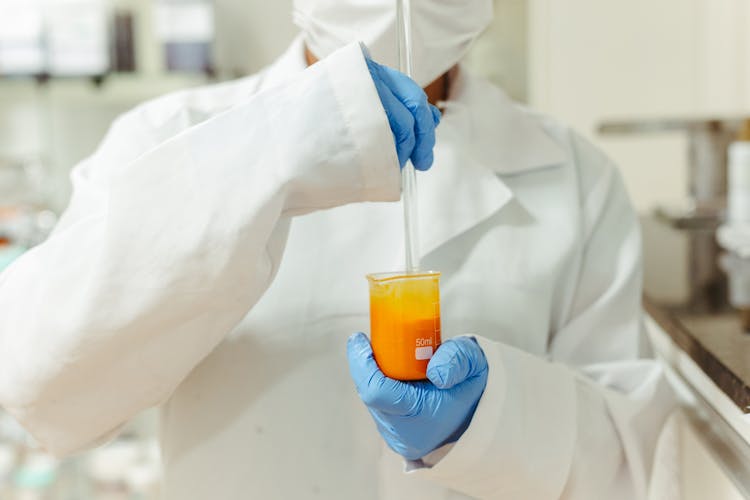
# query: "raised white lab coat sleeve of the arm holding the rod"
{"points": [[162, 252]]}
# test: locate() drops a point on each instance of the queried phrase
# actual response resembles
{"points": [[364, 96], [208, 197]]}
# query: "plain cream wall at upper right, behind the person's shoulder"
{"points": [[590, 61]]}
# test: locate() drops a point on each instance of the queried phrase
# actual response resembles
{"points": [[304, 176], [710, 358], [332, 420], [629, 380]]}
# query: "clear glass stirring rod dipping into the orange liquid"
{"points": [[408, 174]]}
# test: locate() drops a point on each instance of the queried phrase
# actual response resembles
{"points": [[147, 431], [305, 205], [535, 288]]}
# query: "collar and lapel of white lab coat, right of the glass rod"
{"points": [[482, 138]]}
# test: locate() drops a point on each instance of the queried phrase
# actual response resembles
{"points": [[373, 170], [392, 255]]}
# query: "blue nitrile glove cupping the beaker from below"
{"points": [[416, 418]]}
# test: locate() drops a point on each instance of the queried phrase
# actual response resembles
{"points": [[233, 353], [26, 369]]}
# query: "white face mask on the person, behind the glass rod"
{"points": [[443, 30]]}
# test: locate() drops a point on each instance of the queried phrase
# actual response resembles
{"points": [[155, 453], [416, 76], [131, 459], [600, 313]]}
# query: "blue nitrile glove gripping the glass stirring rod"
{"points": [[411, 117]]}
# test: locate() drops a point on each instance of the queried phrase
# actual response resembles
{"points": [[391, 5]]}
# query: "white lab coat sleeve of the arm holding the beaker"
{"points": [[582, 424]]}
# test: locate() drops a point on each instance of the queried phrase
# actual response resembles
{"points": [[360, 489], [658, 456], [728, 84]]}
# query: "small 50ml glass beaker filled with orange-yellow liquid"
{"points": [[404, 322]]}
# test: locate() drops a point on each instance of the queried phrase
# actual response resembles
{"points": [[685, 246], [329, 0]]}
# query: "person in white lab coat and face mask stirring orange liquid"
{"points": [[212, 262]]}
